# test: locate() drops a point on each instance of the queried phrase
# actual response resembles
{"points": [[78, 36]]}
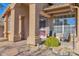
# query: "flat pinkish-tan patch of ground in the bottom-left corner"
{"points": [[10, 52]]}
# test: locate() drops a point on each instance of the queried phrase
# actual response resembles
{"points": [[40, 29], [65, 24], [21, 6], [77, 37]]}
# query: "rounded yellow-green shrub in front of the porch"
{"points": [[52, 42]]}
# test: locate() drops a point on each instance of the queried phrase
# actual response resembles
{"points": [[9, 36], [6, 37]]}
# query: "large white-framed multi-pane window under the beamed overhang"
{"points": [[61, 25]]}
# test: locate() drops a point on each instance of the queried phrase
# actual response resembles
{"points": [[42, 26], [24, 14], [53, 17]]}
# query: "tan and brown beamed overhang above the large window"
{"points": [[59, 10]]}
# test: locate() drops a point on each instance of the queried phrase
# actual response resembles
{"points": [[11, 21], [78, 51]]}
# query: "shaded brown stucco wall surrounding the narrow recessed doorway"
{"points": [[21, 10]]}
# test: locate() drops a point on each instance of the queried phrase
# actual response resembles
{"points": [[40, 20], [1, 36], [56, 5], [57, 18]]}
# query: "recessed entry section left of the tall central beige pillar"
{"points": [[16, 25]]}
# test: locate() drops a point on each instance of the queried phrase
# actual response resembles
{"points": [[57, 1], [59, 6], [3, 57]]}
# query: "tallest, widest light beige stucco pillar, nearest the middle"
{"points": [[31, 38]]}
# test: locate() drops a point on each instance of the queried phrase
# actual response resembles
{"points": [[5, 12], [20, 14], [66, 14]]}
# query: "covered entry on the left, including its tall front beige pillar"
{"points": [[23, 22]]}
